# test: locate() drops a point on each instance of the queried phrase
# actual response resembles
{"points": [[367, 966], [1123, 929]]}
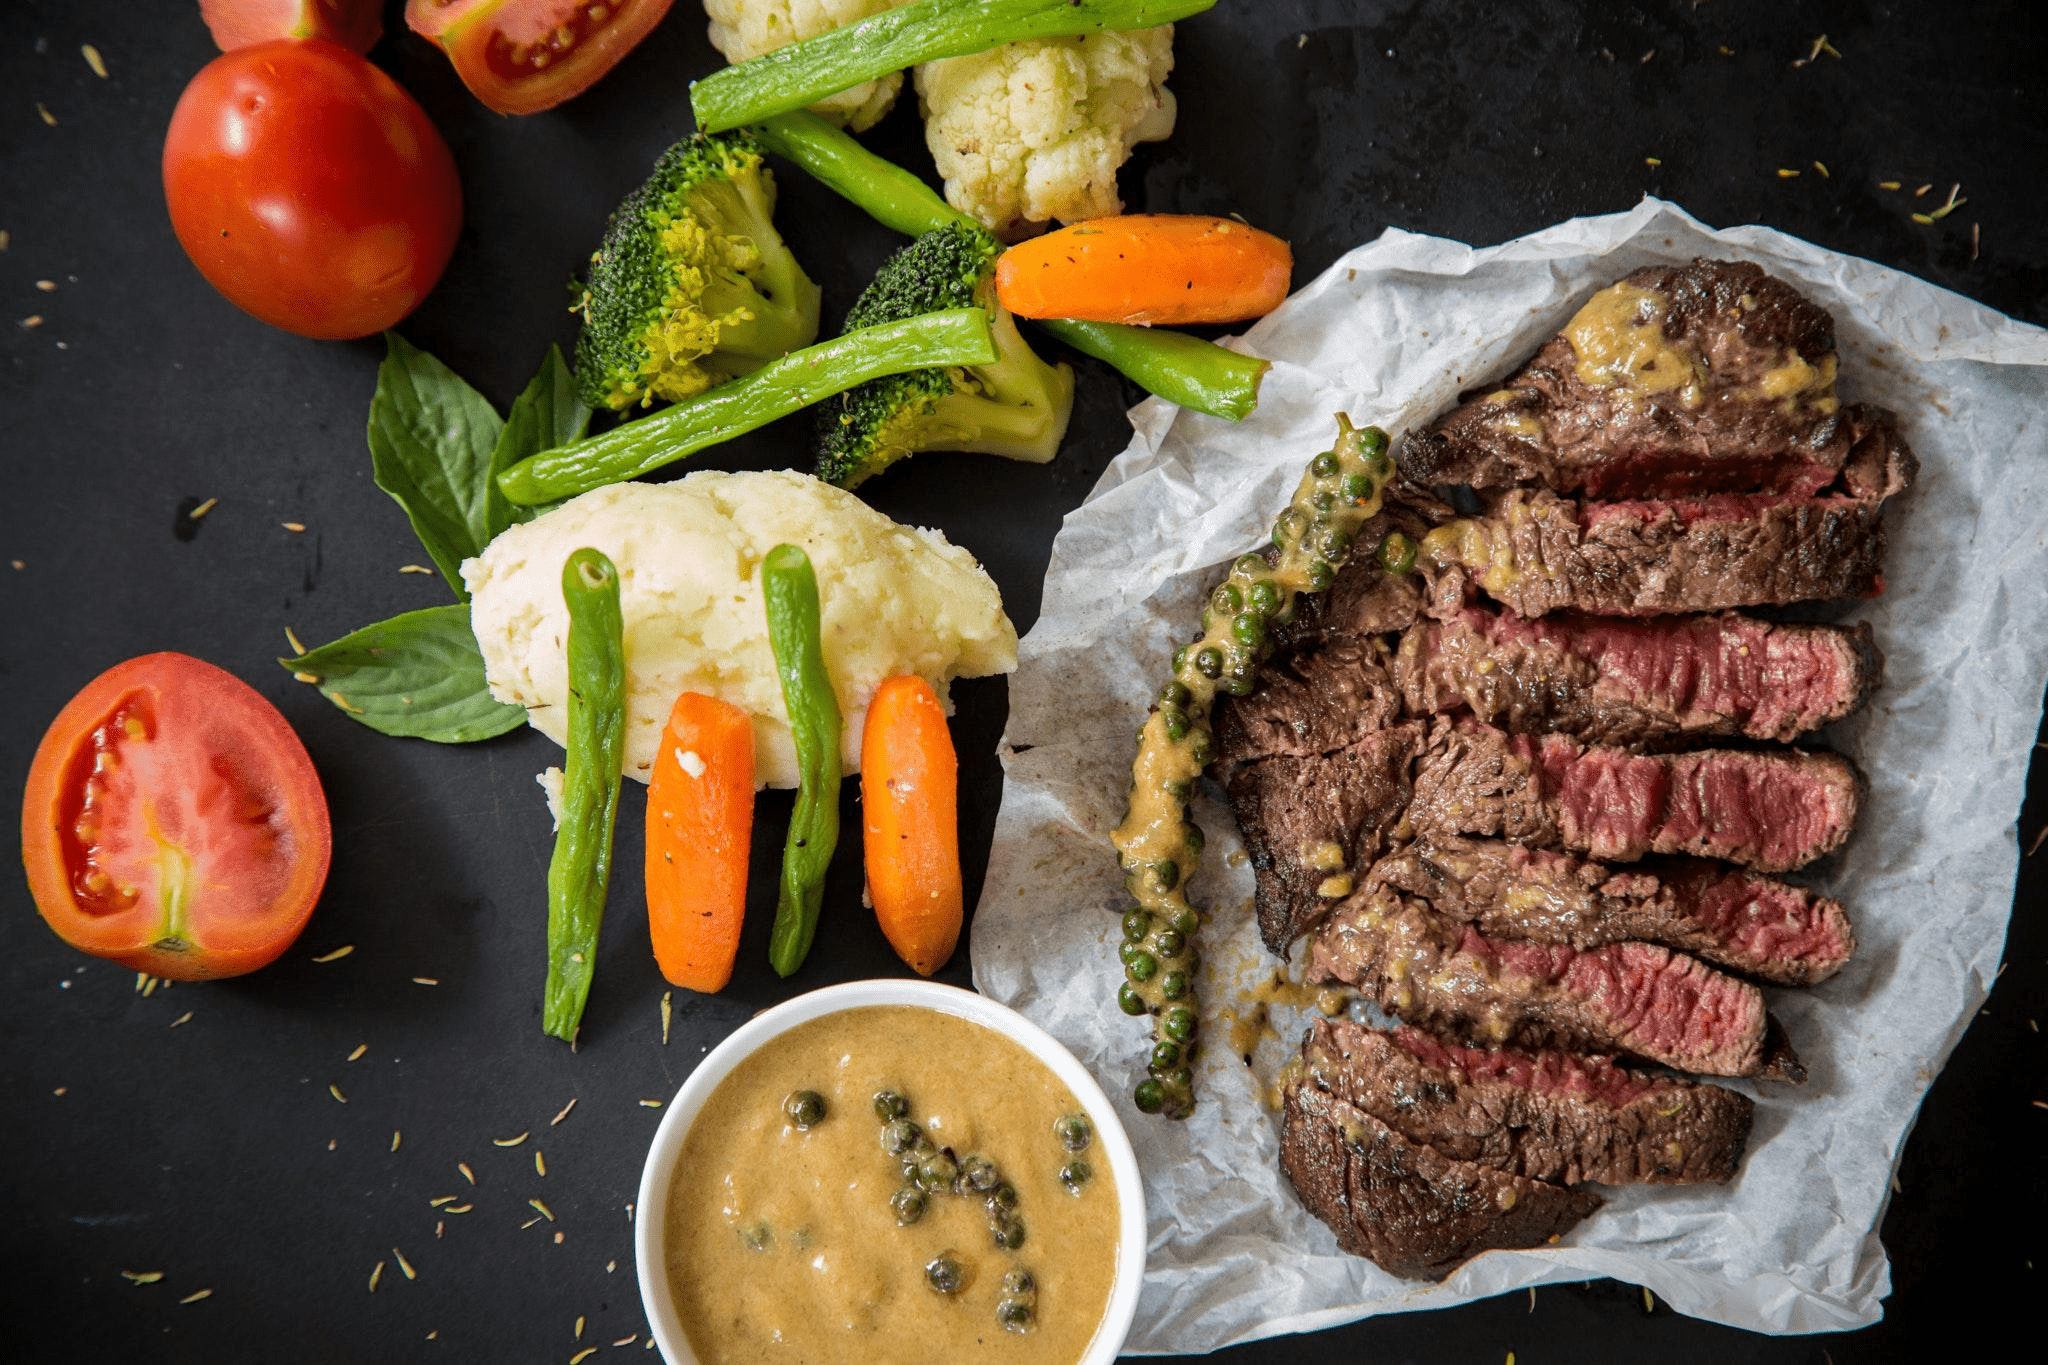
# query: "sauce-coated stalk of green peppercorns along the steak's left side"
{"points": [[1158, 844]]}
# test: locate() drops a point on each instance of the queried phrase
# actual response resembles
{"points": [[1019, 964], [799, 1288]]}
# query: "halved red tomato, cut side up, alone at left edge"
{"points": [[175, 824]]}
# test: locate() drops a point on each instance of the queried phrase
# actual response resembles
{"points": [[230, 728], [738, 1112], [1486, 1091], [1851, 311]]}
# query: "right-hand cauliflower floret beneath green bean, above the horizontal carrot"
{"points": [[1035, 132]]}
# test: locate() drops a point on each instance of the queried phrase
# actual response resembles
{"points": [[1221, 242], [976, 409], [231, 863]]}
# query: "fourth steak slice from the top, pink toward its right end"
{"points": [[1766, 809]]}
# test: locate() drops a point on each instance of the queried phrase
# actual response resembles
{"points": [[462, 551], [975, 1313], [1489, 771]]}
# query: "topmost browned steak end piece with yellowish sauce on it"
{"points": [[1674, 382]]}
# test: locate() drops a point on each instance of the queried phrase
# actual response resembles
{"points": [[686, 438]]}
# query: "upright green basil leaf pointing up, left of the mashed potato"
{"points": [[433, 441]]}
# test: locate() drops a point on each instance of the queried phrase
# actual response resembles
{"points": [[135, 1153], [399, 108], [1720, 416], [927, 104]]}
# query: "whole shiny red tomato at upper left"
{"points": [[310, 189]]}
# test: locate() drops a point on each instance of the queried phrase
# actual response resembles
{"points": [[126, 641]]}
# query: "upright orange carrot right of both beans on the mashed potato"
{"points": [[910, 795]]}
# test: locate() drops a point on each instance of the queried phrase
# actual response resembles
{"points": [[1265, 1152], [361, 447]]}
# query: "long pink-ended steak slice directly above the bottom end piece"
{"points": [[1625, 998]]}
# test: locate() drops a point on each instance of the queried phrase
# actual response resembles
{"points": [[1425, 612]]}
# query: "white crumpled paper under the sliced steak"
{"points": [[1392, 335]]}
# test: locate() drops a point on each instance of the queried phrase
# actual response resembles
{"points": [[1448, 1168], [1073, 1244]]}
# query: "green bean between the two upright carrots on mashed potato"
{"points": [[790, 590]]}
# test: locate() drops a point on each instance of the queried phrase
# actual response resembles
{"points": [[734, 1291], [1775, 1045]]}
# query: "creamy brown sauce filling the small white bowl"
{"points": [[783, 1243]]}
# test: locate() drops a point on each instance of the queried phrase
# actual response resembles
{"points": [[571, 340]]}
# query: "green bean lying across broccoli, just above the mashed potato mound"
{"points": [[738, 406]]}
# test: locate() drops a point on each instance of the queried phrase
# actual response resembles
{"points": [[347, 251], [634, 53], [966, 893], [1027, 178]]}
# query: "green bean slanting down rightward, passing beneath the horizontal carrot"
{"points": [[1175, 365]]}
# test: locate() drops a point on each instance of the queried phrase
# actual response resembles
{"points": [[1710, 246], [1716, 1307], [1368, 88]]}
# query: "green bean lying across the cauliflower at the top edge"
{"points": [[898, 40]]}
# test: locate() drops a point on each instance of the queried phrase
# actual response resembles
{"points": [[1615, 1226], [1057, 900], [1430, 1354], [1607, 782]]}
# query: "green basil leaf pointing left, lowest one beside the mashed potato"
{"points": [[415, 676]]}
